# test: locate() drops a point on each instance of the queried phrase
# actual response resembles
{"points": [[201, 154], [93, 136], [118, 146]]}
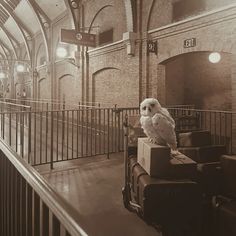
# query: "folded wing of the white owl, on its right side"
{"points": [[165, 129]]}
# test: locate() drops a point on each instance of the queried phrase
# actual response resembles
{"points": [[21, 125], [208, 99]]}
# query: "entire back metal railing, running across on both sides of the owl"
{"points": [[46, 137]]}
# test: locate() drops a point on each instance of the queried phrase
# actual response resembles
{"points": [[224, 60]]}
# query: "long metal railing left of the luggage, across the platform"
{"points": [[46, 137]]}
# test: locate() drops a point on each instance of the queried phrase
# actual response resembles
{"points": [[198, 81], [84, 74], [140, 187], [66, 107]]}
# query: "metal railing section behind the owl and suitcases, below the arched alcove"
{"points": [[221, 124]]}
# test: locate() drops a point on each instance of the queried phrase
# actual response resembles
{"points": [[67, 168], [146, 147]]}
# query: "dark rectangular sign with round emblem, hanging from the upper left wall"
{"points": [[78, 38]]}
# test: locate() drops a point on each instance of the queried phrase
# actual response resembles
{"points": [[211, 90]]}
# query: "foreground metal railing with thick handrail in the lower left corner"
{"points": [[28, 205]]}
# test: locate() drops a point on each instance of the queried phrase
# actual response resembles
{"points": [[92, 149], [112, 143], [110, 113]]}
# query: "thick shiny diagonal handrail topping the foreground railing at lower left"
{"points": [[60, 207]]}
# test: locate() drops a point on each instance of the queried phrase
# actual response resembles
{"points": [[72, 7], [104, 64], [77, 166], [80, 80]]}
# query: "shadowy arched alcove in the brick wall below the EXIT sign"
{"points": [[191, 78]]}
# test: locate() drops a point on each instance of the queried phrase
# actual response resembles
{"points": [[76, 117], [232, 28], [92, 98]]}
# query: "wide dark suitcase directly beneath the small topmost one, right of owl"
{"points": [[204, 154]]}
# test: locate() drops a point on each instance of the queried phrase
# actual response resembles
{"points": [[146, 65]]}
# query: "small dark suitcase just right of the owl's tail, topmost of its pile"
{"points": [[194, 138]]}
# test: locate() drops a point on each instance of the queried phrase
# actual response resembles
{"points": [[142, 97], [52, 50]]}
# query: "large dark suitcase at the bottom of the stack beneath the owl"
{"points": [[174, 204]]}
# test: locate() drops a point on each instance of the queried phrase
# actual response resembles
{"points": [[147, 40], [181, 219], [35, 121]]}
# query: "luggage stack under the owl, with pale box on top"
{"points": [[166, 189]]}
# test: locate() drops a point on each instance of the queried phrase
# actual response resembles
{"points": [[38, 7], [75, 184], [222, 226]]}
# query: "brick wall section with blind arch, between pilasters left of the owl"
{"points": [[113, 76]]}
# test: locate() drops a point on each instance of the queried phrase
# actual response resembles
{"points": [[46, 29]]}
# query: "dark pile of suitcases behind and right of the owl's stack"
{"points": [[197, 145]]}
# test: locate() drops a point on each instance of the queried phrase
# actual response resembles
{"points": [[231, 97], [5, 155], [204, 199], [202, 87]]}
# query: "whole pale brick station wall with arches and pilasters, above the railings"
{"points": [[103, 70]]}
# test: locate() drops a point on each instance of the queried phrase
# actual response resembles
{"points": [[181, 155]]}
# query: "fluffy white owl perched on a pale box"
{"points": [[158, 124]]}
